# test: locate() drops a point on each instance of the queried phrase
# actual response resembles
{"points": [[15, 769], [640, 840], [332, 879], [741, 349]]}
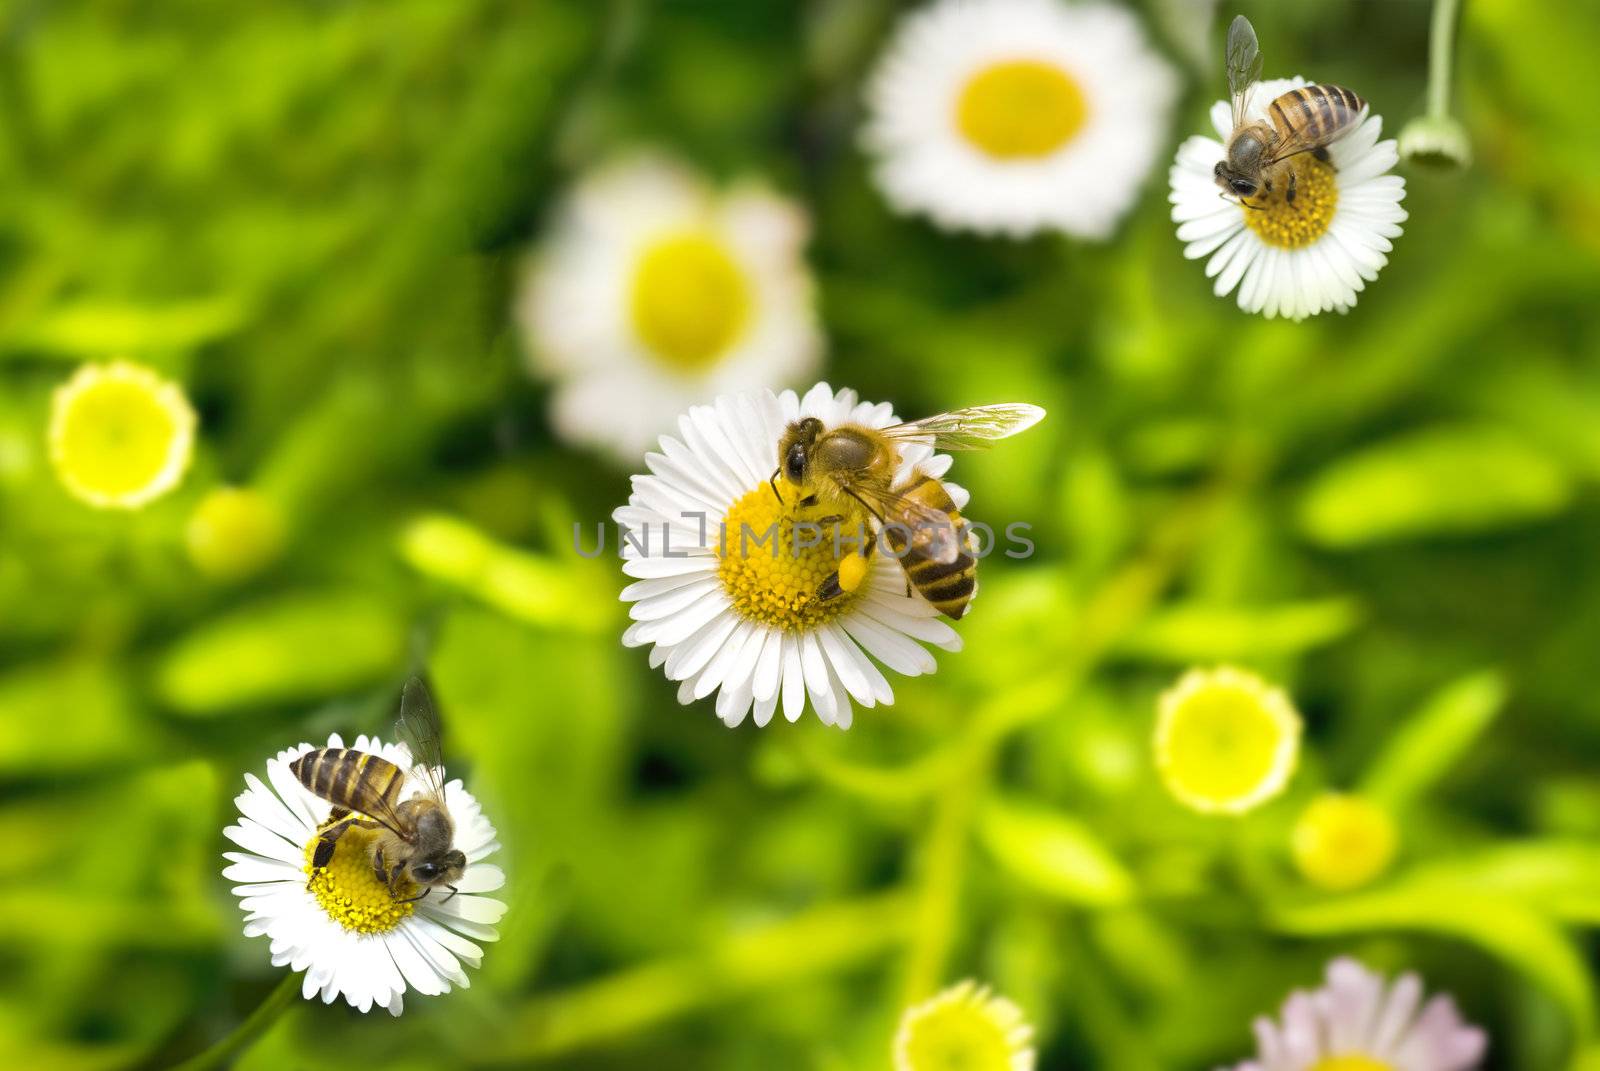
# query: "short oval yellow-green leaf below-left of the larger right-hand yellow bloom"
{"points": [[1055, 854]]}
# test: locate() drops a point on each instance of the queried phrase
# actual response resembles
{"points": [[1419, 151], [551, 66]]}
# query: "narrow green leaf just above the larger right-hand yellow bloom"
{"points": [[1198, 633]]}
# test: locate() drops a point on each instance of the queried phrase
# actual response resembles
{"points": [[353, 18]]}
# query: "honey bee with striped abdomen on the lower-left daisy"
{"points": [[415, 836]]}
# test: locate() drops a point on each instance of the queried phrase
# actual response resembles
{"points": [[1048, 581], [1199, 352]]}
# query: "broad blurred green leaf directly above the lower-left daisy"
{"points": [[289, 649]]}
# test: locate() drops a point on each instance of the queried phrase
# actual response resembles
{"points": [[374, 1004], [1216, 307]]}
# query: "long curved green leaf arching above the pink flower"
{"points": [[1502, 926]]}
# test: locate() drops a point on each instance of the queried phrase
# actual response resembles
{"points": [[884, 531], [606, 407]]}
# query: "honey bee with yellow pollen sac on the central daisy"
{"points": [[857, 467]]}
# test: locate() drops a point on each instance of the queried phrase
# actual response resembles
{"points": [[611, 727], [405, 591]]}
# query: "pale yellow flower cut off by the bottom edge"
{"points": [[966, 1027]]}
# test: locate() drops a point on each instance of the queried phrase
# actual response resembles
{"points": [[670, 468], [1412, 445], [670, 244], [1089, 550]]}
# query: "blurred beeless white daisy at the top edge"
{"points": [[1018, 116]]}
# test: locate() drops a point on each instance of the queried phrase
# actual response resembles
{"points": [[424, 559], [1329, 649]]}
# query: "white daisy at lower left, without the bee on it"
{"points": [[338, 923]]}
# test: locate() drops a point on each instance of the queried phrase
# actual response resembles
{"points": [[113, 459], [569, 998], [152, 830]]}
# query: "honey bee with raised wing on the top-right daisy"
{"points": [[1306, 119]]}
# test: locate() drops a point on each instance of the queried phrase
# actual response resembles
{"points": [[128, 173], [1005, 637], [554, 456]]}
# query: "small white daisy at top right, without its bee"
{"points": [[1292, 259]]}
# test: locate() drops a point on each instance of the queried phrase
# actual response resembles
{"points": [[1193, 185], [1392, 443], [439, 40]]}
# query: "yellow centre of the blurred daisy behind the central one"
{"points": [[690, 300]]}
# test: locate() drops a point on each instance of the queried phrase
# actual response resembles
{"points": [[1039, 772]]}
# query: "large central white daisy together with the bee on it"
{"points": [[766, 590]]}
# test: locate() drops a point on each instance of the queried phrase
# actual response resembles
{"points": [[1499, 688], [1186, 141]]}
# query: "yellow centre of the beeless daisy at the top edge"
{"points": [[1020, 110]]}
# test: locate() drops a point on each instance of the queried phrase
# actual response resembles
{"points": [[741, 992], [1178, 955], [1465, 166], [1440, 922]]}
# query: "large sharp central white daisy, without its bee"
{"points": [[742, 619]]}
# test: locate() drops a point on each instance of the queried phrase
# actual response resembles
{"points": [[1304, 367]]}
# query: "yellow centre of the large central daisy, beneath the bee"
{"points": [[777, 556]]}
